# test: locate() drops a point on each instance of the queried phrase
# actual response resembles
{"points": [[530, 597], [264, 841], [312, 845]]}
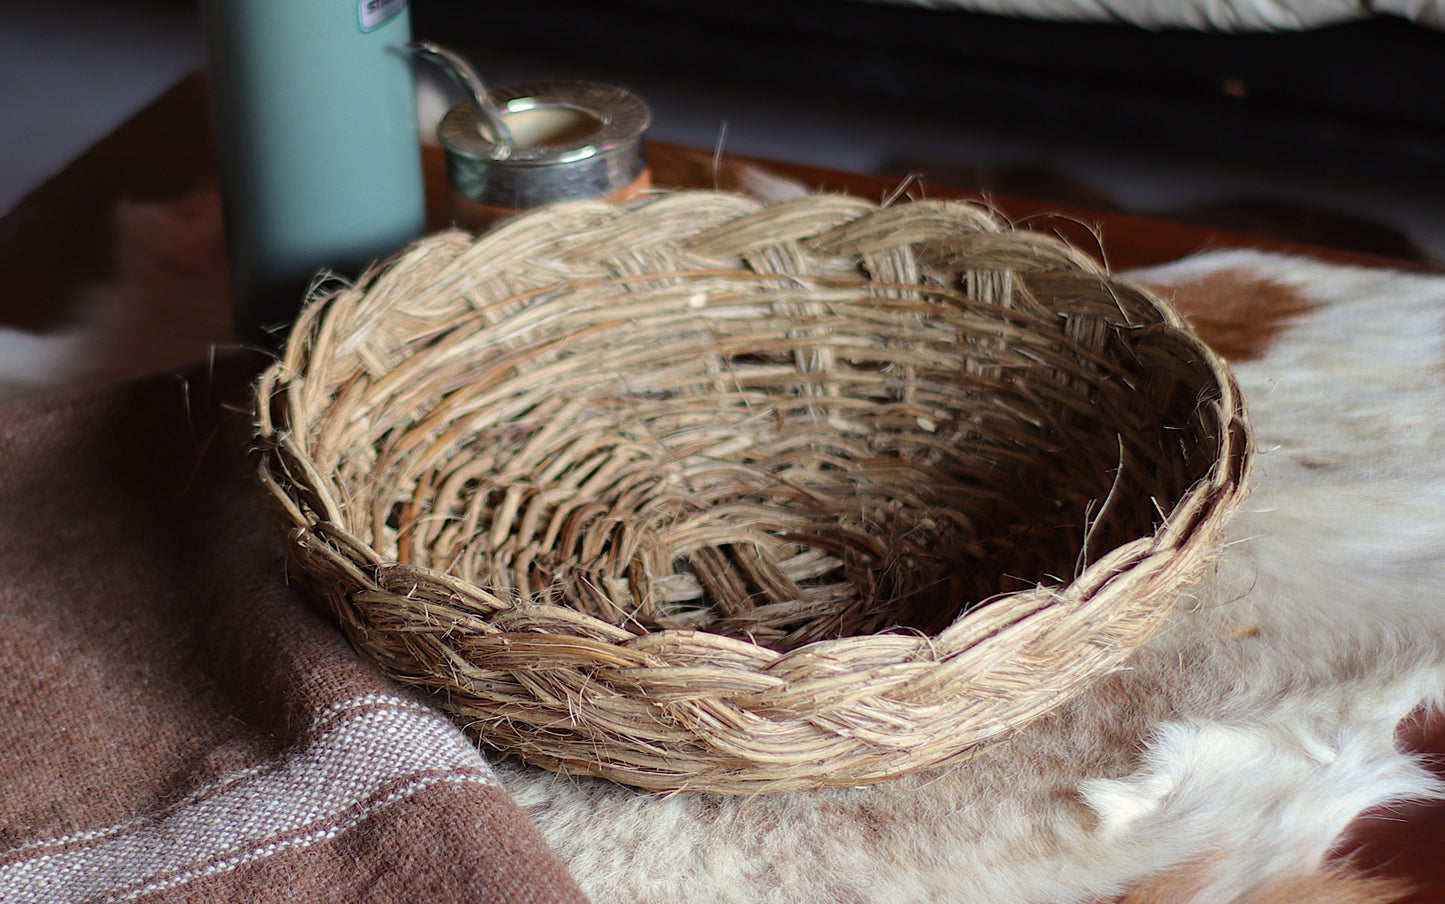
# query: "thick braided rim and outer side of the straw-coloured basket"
{"points": [[690, 710]]}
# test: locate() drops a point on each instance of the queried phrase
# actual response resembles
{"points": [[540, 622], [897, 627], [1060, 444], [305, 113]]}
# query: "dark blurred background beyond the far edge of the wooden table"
{"points": [[1334, 135]]}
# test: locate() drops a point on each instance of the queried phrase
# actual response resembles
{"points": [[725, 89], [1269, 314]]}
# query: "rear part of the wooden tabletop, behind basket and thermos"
{"points": [[59, 238]]}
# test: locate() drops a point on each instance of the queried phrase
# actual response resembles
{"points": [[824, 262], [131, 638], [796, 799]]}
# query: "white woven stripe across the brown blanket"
{"points": [[362, 756]]}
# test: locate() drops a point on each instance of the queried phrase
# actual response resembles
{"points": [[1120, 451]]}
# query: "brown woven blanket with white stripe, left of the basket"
{"points": [[178, 724]]}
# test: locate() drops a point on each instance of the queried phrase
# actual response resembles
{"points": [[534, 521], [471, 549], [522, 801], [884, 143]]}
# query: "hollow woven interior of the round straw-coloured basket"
{"points": [[696, 444]]}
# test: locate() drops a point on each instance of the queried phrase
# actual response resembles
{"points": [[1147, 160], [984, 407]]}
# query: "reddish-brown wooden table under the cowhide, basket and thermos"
{"points": [[59, 240]]}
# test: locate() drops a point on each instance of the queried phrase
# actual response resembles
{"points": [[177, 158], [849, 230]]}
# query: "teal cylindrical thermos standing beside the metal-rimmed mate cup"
{"points": [[314, 110]]}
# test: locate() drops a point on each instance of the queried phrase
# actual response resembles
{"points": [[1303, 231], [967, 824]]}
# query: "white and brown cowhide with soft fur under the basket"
{"points": [[1219, 768]]}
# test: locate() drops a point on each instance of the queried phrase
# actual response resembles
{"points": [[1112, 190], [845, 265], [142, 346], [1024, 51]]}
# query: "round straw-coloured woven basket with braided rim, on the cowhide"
{"points": [[709, 495]]}
